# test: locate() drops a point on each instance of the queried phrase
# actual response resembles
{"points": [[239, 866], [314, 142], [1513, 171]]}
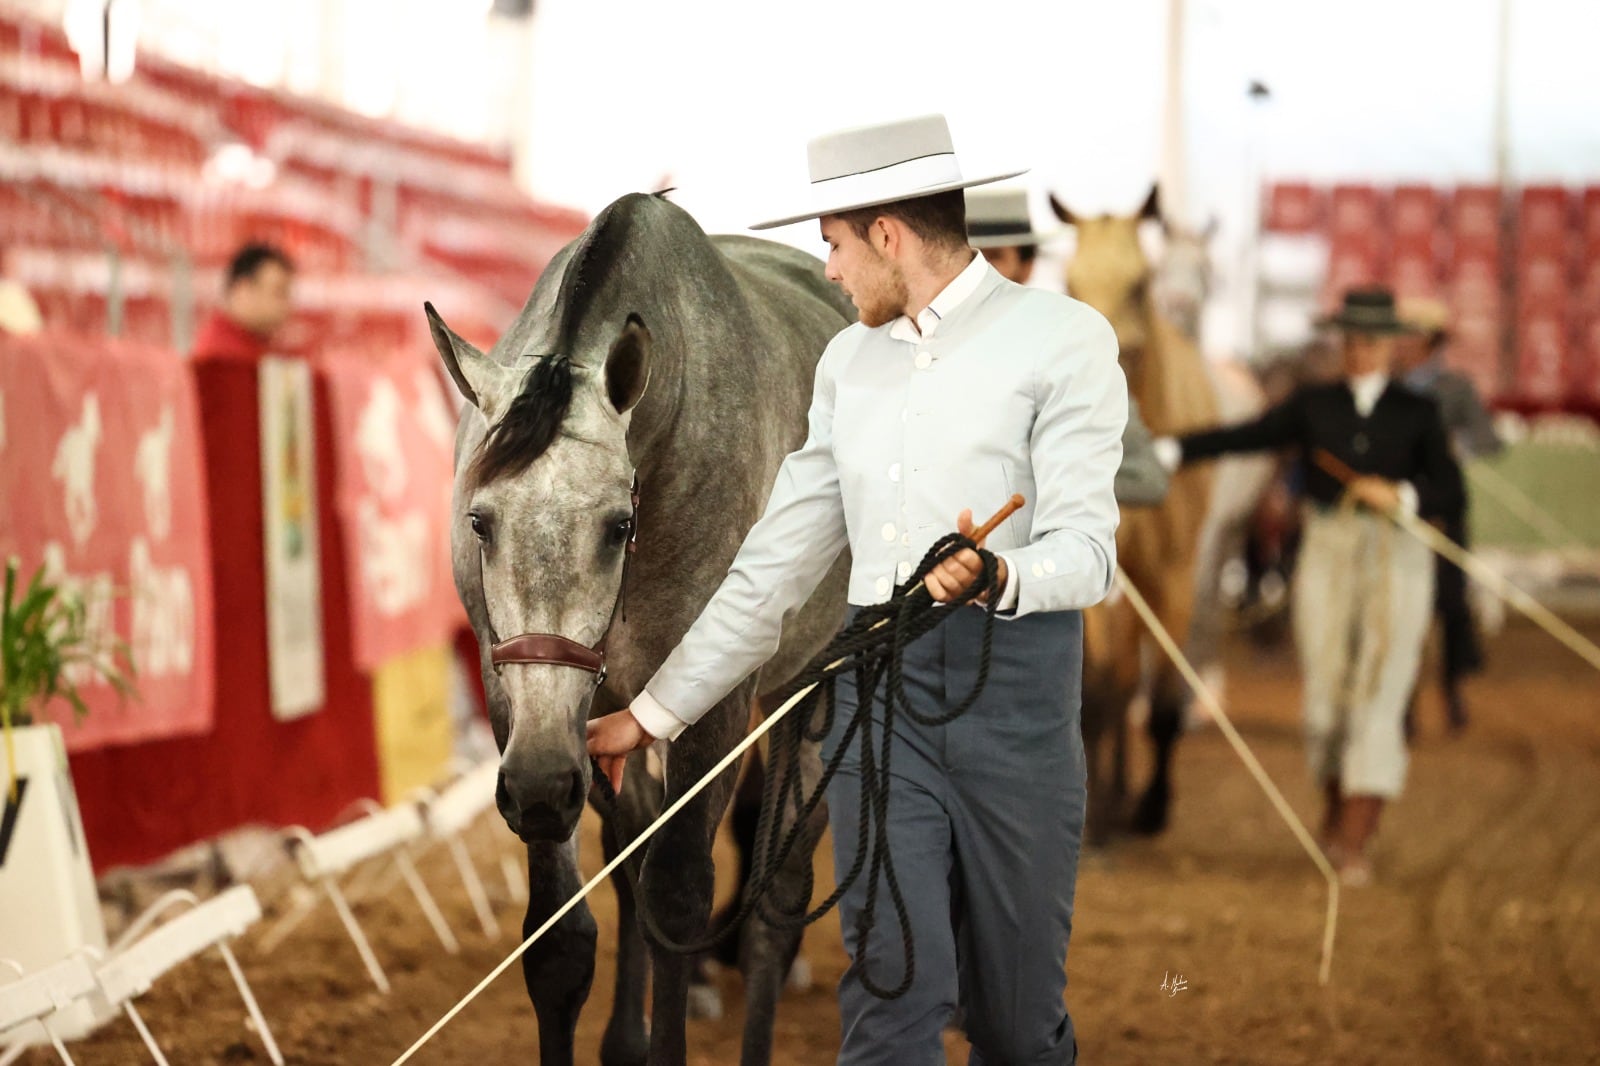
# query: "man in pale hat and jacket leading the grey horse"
{"points": [[953, 393]]}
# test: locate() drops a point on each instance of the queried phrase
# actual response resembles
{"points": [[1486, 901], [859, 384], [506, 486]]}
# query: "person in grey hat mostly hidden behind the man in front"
{"points": [[1001, 226]]}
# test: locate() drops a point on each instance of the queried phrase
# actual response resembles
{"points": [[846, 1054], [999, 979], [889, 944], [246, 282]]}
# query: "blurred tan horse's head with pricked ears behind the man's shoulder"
{"points": [[1111, 273]]}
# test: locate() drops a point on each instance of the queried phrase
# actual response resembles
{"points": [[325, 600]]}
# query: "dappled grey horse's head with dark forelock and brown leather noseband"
{"points": [[540, 529]]}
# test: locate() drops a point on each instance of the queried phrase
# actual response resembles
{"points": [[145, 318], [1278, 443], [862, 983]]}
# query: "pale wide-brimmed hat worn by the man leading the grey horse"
{"points": [[882, 164]]}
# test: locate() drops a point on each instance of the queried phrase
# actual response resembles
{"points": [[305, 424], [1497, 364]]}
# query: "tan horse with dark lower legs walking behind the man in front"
{"points": [[1156, 547]]}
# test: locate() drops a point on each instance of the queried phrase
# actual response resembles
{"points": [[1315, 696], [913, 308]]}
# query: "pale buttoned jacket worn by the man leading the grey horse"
{"points": [[994, 390]]}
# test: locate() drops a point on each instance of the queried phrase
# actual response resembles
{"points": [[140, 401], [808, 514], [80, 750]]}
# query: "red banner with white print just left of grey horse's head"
{"points": [[394, 439]]}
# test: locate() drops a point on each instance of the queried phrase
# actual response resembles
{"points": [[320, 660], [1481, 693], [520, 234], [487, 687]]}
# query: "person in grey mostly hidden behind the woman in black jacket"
{"points": [[1420, 359]]}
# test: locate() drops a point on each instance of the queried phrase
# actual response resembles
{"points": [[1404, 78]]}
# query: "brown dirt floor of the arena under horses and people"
{"points": [[1479, 945]]}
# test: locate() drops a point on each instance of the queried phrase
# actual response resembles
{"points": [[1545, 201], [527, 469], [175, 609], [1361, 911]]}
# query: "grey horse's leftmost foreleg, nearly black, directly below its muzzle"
{"points": [[561, 968]]}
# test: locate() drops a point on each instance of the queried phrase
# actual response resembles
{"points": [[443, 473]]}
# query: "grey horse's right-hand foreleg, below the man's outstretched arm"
{"points": [[679, 880]]}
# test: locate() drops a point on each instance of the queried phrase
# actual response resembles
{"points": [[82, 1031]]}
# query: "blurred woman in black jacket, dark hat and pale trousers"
{"points": [[1364, 590]]}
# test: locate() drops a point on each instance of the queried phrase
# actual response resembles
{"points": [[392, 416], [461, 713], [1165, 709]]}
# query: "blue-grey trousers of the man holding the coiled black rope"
{"points": [[985, 824]]}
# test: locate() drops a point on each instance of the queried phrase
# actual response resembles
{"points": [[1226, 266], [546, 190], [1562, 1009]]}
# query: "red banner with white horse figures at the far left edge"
{"points": [[103, 478]]}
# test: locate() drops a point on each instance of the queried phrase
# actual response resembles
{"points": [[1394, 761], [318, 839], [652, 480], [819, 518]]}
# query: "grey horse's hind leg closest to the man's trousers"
{"points": [[767, 952]]}
